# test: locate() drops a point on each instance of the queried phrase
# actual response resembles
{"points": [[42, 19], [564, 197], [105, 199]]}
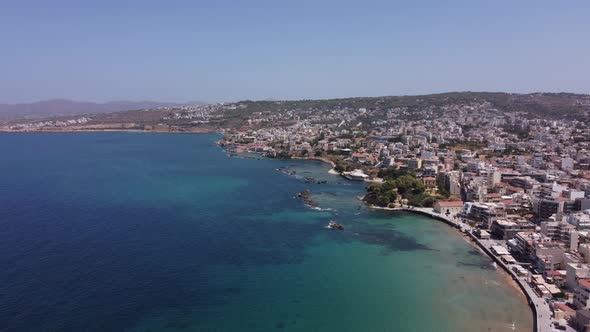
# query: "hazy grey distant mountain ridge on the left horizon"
{"points": [[61, 107]]}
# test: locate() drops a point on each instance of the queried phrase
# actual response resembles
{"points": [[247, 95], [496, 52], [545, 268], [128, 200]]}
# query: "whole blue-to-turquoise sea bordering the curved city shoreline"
{"points": [[160, 232]]}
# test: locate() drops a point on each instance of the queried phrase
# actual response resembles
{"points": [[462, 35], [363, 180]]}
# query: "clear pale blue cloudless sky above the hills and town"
{"points": [[230, 50]]}
